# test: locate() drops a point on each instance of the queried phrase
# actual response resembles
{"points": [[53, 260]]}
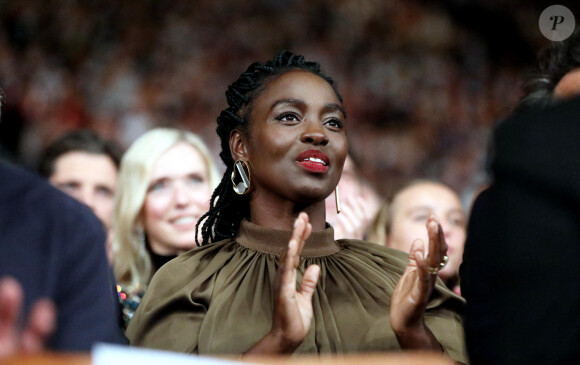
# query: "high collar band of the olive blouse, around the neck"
{"points": [[274, 241]]}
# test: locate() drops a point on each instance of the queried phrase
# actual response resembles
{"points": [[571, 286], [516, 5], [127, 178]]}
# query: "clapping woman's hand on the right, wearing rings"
{"points": [[414, 289]]}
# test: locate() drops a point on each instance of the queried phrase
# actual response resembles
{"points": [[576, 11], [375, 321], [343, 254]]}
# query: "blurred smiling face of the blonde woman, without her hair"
{"points": [[177, 196]]}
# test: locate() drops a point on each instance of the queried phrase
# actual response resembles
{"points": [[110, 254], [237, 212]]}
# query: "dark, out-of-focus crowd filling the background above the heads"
{"points": [[423, 81]]}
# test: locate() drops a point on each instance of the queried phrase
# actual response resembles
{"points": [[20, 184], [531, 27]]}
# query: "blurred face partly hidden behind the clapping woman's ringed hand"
{"points": [[410, 210]]}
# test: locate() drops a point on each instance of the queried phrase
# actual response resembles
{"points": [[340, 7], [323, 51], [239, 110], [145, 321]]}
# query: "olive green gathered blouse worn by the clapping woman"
{"points": [[217, 299]]}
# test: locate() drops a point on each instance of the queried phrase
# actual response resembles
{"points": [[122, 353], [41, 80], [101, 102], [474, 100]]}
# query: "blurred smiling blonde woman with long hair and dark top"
{"points": [[165, 183]]}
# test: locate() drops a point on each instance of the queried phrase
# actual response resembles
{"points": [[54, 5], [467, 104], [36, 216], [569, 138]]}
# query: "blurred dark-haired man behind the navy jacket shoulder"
{"points": [[85, 166]]}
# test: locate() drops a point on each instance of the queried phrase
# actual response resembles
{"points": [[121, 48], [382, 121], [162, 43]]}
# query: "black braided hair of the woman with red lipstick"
{"points": [[227, 209]]}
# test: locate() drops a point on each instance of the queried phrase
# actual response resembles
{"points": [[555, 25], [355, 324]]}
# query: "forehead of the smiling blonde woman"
{"points": [[181, 159]]}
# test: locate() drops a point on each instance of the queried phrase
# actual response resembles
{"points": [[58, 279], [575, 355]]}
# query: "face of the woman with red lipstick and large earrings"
{"points": [[297, 143]]}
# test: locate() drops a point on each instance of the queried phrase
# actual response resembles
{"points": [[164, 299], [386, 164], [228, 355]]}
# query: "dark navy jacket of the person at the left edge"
{"points": [[55, 247]]}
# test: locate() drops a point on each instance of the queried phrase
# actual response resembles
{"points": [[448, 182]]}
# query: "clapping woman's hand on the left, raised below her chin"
{"points": [[293, 313]]}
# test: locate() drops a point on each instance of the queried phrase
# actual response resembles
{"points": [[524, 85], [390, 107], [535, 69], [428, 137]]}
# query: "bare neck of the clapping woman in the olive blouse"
{"points": [[281, 213]]}
